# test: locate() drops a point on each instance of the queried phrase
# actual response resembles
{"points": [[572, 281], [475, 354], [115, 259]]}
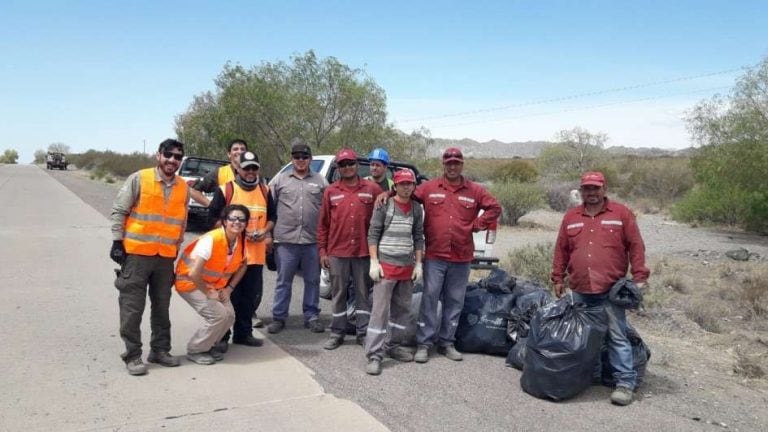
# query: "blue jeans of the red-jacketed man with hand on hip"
{"points": [[446, 281]]}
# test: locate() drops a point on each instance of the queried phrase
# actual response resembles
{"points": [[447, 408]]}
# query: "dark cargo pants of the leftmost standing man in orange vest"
{"points": [[137, 273]]}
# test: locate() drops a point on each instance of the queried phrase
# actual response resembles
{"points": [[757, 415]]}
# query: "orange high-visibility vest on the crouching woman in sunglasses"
{"points": [[216, 272]]}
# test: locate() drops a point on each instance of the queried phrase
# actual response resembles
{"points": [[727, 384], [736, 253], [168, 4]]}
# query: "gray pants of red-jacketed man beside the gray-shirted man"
{"points": [[340, 272]]}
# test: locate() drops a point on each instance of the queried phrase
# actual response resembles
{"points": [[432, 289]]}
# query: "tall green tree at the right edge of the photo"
{"points": [[730, 163]]}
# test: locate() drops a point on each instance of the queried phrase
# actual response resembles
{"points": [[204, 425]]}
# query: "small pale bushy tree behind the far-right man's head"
{"points": [[575, 151]]}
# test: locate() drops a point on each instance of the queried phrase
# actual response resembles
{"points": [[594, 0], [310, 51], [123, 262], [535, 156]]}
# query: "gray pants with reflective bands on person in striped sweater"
{"points": [[390, 316]]}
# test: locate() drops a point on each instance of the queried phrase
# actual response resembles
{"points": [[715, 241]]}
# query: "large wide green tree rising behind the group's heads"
{"points": [[328, 104]]}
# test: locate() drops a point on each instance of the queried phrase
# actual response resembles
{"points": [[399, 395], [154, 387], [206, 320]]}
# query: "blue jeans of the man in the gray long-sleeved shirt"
{"points": [[289, 258]]}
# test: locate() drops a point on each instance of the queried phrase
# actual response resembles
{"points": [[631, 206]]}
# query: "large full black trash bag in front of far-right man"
{"points": [[562, 349]]}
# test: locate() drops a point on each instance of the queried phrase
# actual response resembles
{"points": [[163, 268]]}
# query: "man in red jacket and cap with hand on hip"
{"points": [[451, 207]]}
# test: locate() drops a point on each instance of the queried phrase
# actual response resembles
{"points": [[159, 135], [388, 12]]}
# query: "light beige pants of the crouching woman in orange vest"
{"points": [[219, 317]]}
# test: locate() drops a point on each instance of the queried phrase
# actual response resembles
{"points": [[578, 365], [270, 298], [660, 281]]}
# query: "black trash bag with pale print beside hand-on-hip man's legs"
{"points": [[483, 321]]}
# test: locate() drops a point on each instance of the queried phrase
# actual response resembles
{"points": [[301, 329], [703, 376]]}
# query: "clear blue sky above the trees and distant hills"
{"points": [[108, 75]]}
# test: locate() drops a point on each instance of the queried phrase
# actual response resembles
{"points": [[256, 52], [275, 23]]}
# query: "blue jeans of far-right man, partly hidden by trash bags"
{"points": [[619, 347]]}
